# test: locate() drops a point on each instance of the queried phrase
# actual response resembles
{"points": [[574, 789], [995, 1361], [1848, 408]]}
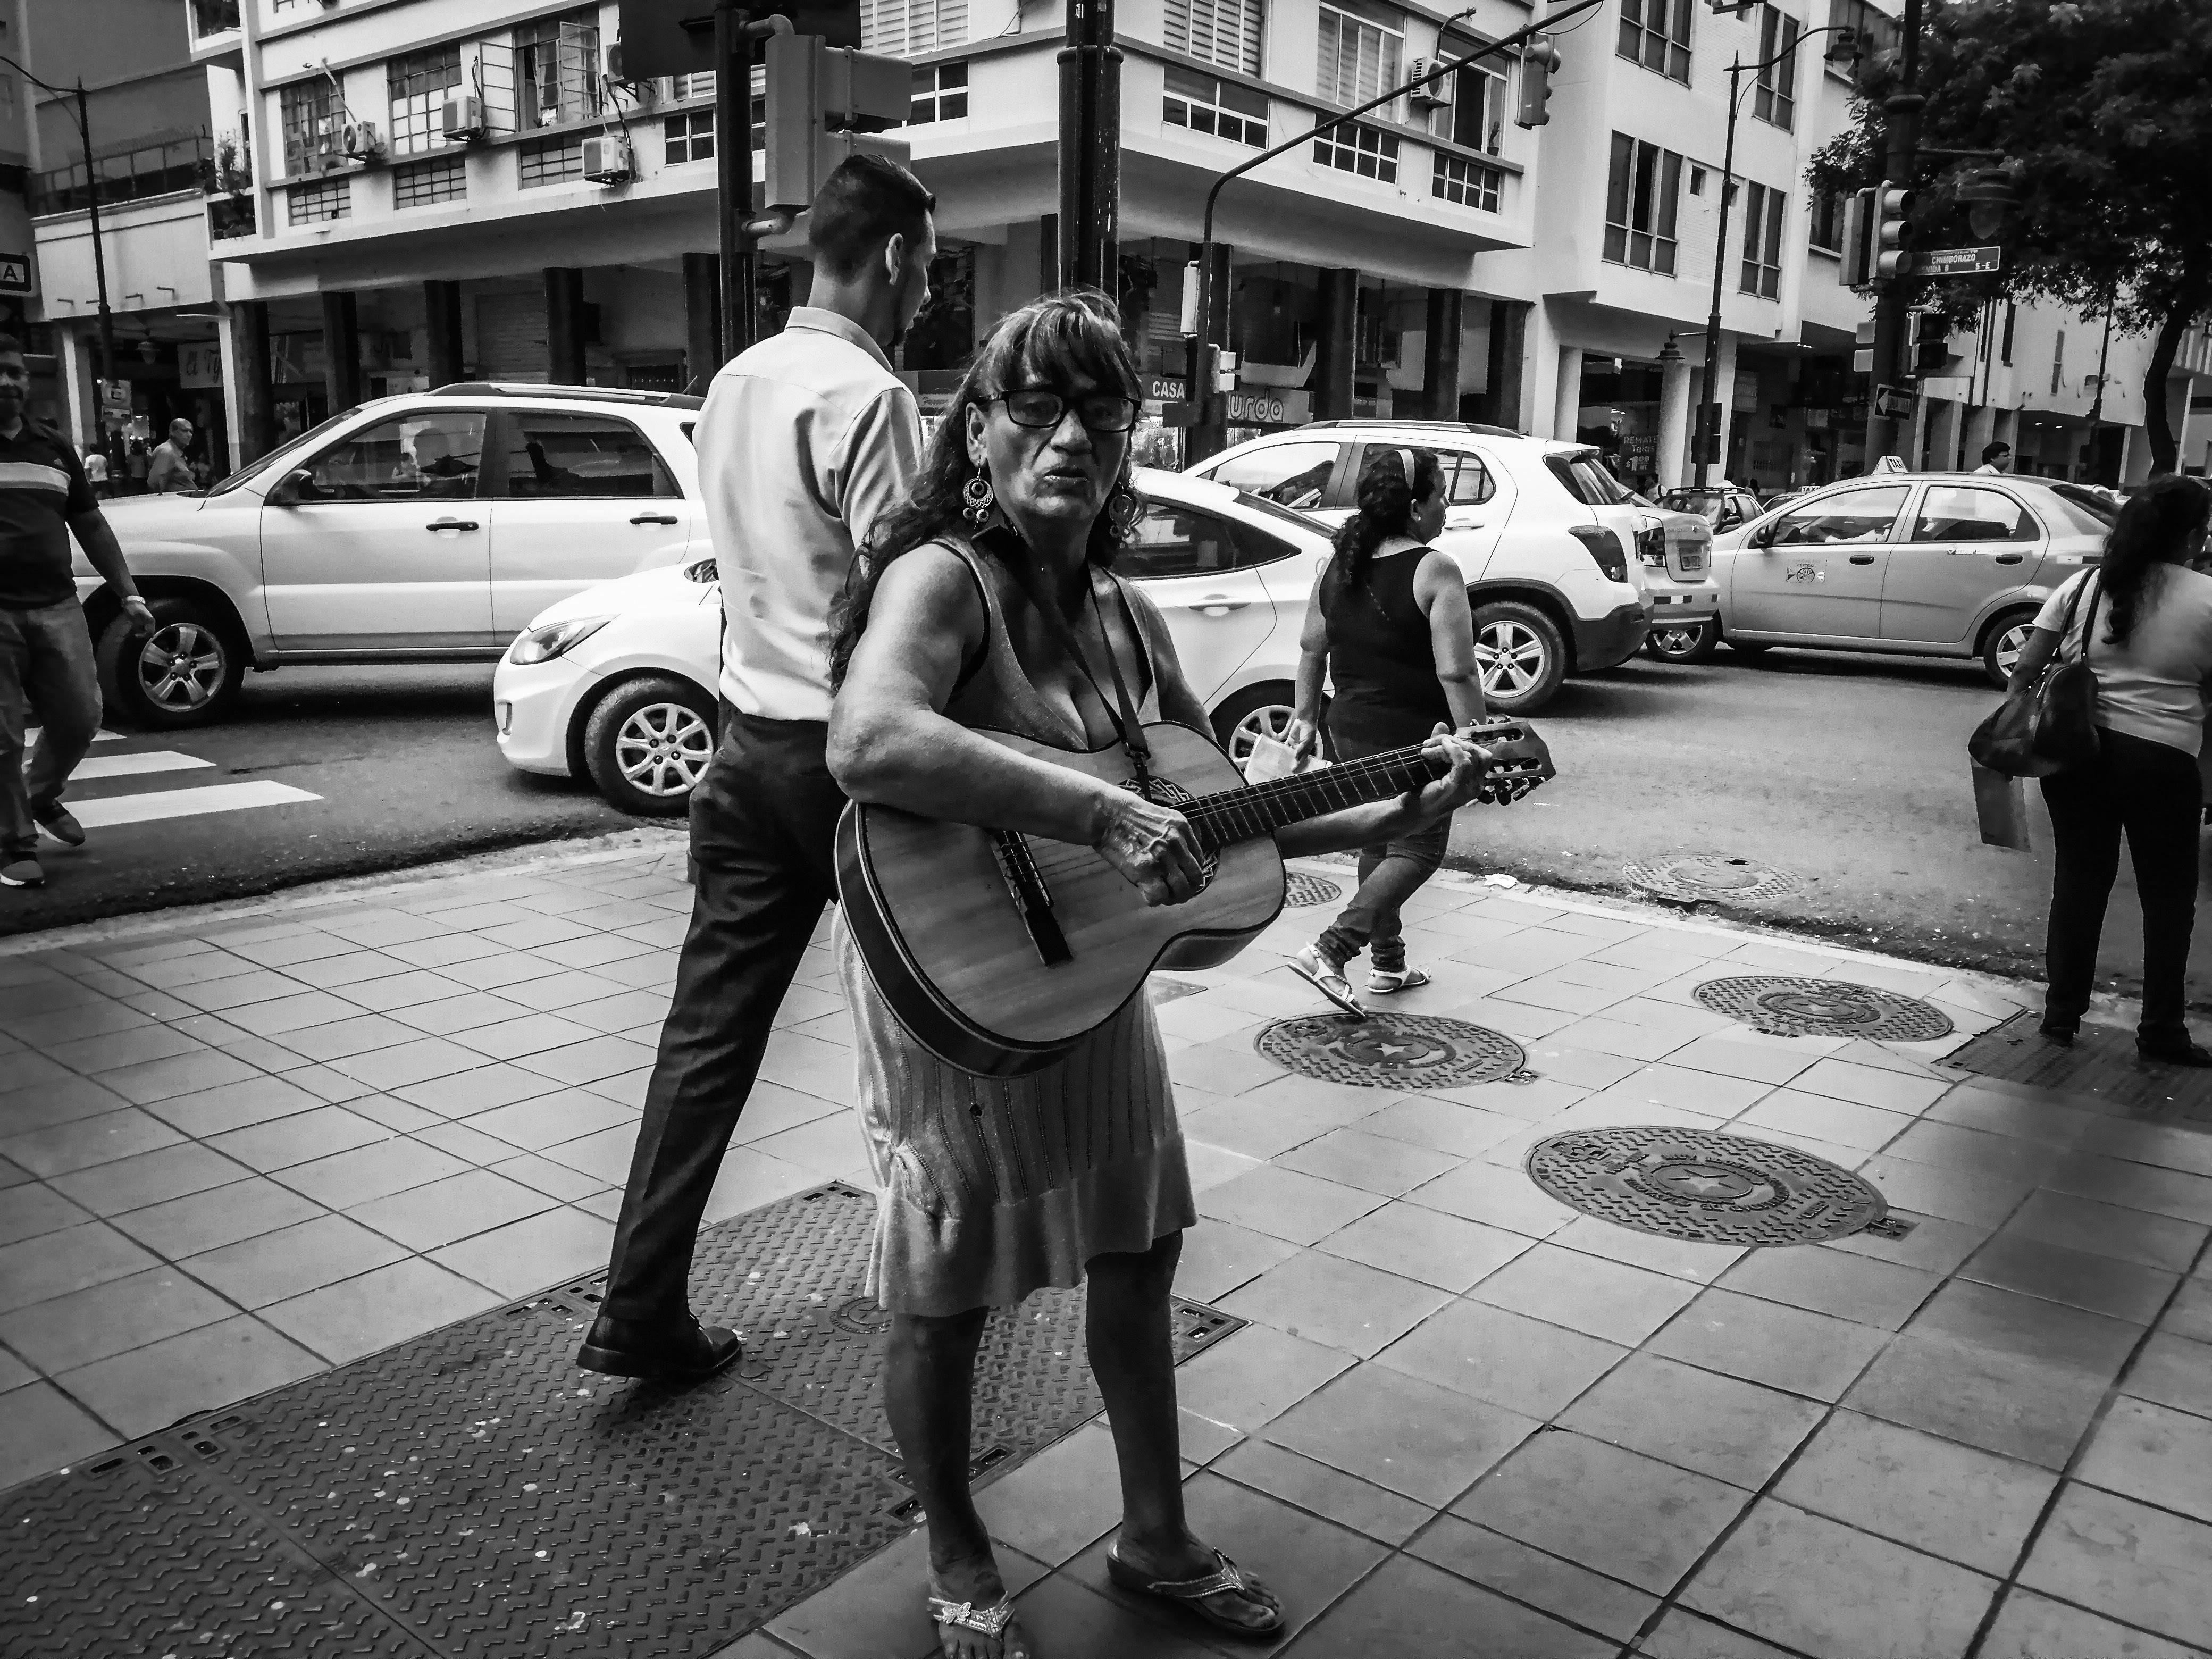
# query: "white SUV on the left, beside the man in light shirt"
{"points": [[426, 528]]}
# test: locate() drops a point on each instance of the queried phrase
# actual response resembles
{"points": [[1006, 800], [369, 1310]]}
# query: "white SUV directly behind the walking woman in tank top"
{"points": [[1547, 539]]}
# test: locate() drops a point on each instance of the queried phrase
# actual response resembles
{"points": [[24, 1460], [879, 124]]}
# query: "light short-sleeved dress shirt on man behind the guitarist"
{"points": [[804, 441]]}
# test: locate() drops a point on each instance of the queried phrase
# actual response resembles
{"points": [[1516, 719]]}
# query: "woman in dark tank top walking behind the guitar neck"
{"points": [[1392, 629]]}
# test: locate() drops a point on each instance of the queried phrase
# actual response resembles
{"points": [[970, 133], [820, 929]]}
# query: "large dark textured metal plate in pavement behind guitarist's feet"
{"points": [[474, 1494]]}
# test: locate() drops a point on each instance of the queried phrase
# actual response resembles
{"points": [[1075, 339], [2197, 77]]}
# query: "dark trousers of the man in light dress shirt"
{"points": [[762, 835]]}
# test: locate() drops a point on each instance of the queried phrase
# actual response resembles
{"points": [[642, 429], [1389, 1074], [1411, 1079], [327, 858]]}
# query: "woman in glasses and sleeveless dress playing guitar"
{"points": [[990, 603]]}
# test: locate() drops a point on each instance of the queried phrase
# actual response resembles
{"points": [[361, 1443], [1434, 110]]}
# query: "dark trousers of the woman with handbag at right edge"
{"points": [[2151, 793]]}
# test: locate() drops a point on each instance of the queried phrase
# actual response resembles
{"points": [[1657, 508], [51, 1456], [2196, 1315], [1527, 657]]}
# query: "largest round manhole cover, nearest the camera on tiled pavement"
{"points": [[1695, 1185]]}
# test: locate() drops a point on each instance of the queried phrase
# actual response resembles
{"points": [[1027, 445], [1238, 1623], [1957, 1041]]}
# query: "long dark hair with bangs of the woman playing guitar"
{"points": [[1074, 335]]}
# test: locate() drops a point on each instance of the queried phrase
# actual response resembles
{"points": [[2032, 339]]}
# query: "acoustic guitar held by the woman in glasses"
{"points": [[1001, 952]]}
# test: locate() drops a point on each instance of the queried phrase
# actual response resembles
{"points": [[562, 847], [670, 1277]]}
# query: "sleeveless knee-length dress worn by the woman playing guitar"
{"points": [[990, 1189]]}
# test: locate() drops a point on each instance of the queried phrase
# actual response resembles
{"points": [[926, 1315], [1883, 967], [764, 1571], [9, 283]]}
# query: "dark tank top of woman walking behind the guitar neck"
{"points": [[1381, 665]]}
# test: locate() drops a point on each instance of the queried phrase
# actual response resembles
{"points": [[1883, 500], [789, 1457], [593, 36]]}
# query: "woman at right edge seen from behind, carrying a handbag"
{"points": [[2142, 623]]}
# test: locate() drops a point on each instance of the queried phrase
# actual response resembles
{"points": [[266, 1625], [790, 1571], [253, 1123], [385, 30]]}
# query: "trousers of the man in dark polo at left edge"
{"points": [[48, 671]]}
